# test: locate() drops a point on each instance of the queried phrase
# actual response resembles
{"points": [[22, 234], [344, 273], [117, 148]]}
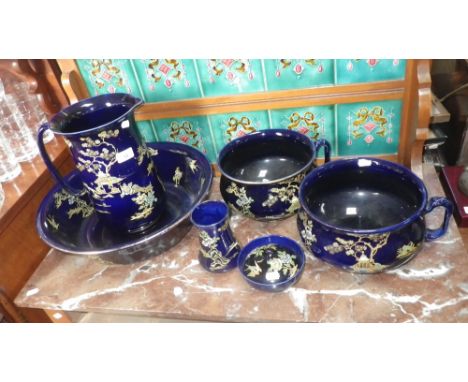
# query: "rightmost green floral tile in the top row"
{"points": [[369, 70]]}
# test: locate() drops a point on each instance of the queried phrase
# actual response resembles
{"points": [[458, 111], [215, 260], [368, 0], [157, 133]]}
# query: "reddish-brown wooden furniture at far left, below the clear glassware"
{"points": [[21, 249]]}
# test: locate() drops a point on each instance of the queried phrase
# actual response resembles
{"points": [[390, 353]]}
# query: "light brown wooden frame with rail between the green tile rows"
{"points": [[414, 91]]}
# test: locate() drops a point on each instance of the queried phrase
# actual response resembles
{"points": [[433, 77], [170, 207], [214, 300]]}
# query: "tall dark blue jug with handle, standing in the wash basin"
{"points": [[115, 167]]}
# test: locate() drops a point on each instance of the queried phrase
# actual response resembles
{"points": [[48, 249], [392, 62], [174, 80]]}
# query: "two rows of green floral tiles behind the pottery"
{"points": [[352, 129]]}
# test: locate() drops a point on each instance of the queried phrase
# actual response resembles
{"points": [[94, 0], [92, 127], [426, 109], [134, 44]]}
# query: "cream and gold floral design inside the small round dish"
{"points": [[283, 263]]}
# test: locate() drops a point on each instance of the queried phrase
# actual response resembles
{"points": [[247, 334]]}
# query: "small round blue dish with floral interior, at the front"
{"points": [[271, 263]]}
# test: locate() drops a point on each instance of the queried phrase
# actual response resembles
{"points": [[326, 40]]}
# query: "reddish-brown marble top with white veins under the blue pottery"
{"points": [[431, 287]]}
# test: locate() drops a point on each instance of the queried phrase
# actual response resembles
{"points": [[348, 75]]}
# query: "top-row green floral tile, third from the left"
{"points": [[229, 76]]}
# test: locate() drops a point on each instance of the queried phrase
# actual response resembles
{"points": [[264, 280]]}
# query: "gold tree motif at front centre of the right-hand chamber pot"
{"points": [[363, 249]]}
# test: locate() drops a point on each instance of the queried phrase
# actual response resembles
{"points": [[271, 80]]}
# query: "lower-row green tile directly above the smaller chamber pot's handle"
{"points": [[315, 122]]}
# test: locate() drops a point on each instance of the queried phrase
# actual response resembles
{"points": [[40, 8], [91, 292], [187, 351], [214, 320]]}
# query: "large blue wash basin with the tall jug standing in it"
{"points": [[70, 224]]}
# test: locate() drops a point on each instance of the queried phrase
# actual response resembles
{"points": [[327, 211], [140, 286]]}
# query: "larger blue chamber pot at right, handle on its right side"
{"points": [[366, 215]]}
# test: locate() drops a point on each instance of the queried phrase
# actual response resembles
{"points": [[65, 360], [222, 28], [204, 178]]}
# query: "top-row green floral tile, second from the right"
{"points": [[298, 73]]}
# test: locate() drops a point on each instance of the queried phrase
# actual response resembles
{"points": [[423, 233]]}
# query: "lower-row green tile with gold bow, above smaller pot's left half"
{"points": [[227, 127]]}
